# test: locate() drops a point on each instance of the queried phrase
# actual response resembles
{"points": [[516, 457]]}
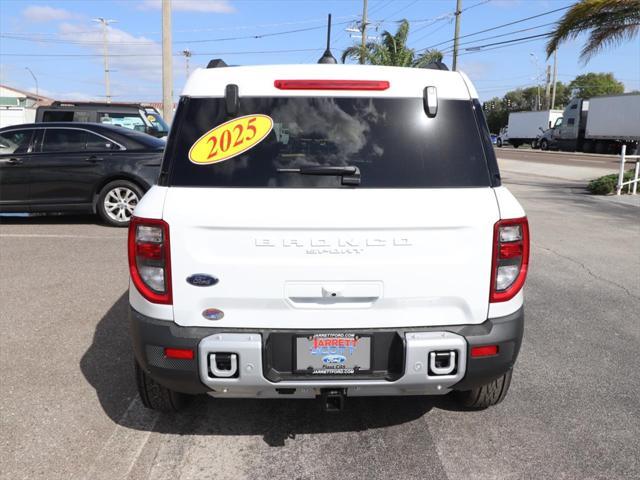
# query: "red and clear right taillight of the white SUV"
{"points": [[510, 258]]}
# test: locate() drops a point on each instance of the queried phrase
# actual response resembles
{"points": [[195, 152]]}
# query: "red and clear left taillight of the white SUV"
{"points": [[149, 259]]}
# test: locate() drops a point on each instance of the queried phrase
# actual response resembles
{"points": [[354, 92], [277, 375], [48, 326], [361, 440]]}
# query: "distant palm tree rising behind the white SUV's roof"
{"points": [[393, 51]]}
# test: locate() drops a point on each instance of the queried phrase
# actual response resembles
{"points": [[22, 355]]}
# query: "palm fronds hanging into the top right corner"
{"points": [[610, 22]]}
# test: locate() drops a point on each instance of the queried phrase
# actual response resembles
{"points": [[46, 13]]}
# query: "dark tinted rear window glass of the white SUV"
{"points": [[391, 141]]}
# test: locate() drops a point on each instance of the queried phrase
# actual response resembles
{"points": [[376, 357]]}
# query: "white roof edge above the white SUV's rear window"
{"points": [[259, 81]]}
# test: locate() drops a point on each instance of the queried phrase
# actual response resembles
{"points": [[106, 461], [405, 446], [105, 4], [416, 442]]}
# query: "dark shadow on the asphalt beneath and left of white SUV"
{"points": [[108, 366]]}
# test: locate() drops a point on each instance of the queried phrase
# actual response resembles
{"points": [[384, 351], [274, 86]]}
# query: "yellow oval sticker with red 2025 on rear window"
{"points": [[230, 139]]}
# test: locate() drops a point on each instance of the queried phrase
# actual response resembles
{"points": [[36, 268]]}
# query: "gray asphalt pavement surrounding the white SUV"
{"points": [[69, 407]]}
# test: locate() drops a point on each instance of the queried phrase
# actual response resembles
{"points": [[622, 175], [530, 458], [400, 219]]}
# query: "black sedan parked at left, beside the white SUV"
{"points": [[76, 167]]}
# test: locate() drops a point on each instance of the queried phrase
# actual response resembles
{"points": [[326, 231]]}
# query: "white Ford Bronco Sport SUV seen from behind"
{"points": [[327, 231]]}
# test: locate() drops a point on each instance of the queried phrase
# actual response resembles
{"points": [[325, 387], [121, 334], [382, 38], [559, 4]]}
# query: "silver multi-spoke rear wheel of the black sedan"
{"points": [[116, 202]]}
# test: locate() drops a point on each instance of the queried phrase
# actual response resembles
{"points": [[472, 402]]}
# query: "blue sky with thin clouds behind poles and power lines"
{"points": [[61, 44]]}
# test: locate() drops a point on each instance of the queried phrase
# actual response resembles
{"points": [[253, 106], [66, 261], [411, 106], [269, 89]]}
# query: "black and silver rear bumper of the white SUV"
{"points": [[257, 377]]}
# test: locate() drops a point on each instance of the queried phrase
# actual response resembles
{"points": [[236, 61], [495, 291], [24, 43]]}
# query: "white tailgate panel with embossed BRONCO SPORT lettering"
{"points": [[332, 258]]}
